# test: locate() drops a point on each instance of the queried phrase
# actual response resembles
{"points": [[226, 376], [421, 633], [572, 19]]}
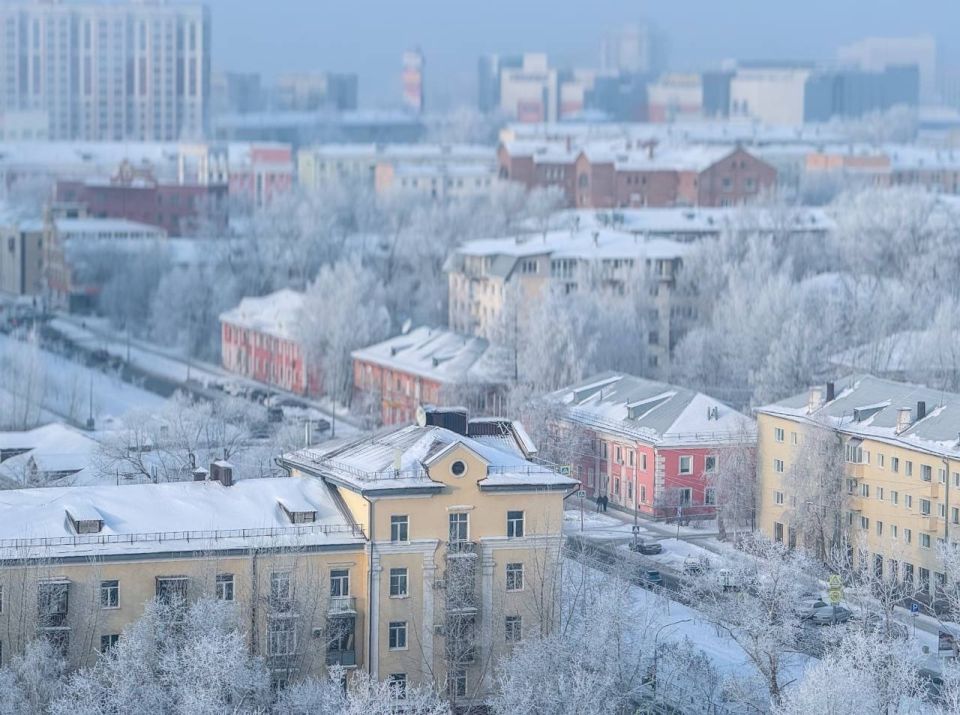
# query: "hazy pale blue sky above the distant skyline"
{"points": [[367, 36]]}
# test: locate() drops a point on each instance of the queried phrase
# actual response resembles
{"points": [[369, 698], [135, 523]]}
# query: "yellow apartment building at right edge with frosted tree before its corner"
{"points": [[899, 446]]}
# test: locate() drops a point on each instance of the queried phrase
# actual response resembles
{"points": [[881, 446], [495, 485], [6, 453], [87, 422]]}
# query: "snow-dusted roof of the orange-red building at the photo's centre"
{"points": [[440, 355]]}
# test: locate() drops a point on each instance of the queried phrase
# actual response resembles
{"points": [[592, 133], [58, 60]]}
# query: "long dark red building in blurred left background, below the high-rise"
{"points": [[135, 194]]}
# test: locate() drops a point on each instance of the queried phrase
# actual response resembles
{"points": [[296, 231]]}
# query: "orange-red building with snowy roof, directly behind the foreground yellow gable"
{"points": [[430, 366]]}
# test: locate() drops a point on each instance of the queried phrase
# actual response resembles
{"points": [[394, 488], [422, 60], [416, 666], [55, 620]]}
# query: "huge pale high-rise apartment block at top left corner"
{"points": [[135, 70]]}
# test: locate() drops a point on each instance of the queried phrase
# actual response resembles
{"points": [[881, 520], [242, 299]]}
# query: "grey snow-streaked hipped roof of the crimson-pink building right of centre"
{"points": [[651, 411]]}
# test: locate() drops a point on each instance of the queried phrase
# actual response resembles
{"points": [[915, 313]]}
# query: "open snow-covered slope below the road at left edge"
{"points": [[68, 387]]}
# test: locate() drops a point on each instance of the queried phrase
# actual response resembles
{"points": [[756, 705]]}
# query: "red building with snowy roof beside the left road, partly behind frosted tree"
{"points": [[259, 340]]}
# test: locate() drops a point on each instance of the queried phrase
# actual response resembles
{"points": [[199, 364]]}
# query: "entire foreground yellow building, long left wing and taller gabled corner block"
{"points": [[419, 554]]}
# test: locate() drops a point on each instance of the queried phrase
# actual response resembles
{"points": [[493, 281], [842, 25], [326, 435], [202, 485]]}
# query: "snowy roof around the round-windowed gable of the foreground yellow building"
{"points": [[398, 461]]}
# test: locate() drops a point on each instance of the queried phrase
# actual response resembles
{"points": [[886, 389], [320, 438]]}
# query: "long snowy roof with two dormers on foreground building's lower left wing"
{"points": [[175, 516]]}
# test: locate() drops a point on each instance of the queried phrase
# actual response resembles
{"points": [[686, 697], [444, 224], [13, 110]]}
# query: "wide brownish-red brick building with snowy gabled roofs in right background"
{"points": [[621, 175]]}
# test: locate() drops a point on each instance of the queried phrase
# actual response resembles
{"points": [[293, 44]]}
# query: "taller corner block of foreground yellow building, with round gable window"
{"points": [[463, 542]]}
